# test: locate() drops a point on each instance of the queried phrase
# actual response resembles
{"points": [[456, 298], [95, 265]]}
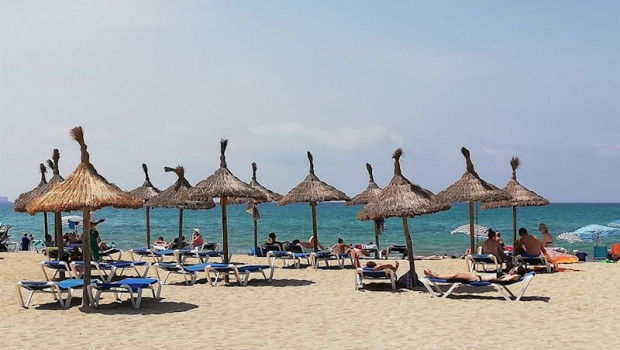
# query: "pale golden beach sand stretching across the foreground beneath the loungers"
{"points": [[320, 309]]}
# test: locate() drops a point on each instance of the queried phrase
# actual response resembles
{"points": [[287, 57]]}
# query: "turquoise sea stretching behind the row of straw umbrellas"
{"points": [[430, 233]]}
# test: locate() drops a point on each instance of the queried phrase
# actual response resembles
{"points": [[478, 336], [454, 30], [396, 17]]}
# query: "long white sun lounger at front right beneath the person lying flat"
{"points": [[434, 286]]}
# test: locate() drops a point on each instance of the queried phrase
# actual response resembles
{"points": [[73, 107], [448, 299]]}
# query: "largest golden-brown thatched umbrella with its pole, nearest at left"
{"points": [[84, 190]]}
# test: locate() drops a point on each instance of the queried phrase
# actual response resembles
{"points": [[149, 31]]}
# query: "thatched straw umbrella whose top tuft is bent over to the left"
{"points": [[175, 196]]}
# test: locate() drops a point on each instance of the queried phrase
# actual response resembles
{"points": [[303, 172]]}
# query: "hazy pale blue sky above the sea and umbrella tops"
{"points": [[161, 82]]}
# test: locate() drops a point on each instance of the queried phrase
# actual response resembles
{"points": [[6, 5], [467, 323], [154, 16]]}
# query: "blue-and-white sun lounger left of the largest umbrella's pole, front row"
{"points": [[57, 289]]}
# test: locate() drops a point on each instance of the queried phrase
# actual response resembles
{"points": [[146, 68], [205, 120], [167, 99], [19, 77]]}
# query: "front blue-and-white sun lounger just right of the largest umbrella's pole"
{"points": [[132, 286]]}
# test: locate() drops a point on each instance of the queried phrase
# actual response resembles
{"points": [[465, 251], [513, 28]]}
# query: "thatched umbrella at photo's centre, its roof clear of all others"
{"points": [[313, 190]]}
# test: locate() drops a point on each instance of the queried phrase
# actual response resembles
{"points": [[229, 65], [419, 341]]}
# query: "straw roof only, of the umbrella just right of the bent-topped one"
{"points": [[224, 183]]}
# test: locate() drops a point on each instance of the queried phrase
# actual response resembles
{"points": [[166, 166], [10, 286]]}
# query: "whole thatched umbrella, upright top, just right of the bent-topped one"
{"points": [[223, 185]]}
